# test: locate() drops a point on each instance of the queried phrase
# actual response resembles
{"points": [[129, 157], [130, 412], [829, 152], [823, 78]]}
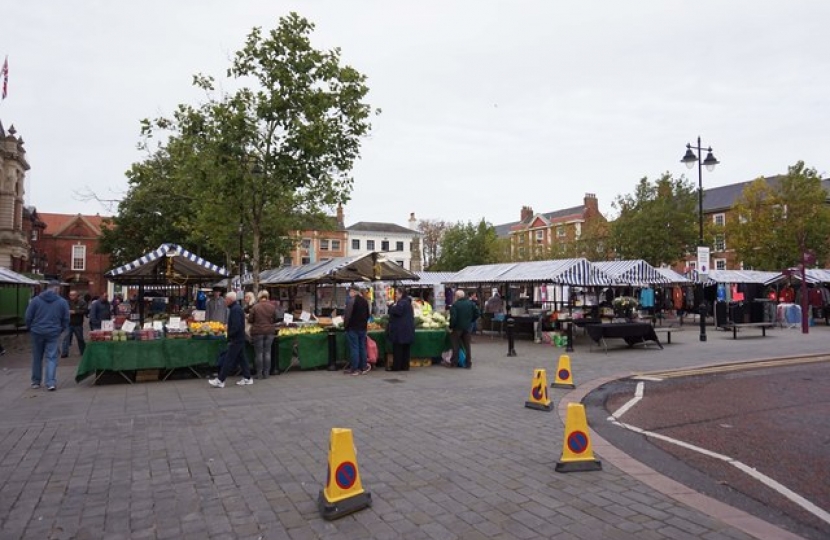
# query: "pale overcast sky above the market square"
{"points": [[487, 106]]}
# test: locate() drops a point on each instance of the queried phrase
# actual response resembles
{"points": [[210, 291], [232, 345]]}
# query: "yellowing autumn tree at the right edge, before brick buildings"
{"points": [[776, 224]]}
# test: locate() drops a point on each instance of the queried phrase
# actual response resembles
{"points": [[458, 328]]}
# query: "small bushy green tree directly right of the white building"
{"points": [[466, 244]]}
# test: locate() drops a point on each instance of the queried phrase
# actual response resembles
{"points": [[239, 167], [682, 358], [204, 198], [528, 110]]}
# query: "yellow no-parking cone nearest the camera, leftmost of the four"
{"points": [[343, 493]]}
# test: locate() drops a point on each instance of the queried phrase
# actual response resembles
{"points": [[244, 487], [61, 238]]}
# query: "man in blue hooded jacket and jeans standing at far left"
{"points": [[47, 317]]}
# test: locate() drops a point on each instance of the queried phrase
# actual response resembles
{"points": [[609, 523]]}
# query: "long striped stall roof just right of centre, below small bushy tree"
{"points": [[579, 272]]}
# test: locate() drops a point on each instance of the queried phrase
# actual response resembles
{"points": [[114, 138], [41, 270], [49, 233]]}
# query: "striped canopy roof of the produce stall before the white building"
{"points": [[368, 267]]}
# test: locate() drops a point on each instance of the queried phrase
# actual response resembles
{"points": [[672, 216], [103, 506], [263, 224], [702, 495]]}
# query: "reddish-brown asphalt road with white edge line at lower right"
{"points": [[774, 420]]}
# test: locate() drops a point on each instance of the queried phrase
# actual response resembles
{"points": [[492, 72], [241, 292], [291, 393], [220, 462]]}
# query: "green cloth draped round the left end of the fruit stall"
{"points": [[156, 354]]}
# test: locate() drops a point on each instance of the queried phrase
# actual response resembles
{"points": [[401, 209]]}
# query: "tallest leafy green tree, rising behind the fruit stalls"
{"points": [[266, 159]]}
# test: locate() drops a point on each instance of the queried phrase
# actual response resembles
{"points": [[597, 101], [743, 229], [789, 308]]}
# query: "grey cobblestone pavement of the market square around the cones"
{"points": [[446, 453]]}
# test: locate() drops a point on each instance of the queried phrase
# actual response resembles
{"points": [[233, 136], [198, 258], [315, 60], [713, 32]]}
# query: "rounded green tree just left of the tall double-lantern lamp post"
{"points": [[657, 223]]}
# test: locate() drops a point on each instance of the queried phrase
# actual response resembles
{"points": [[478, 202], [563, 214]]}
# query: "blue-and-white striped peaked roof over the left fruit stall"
{"points": [[152, 267]]}
